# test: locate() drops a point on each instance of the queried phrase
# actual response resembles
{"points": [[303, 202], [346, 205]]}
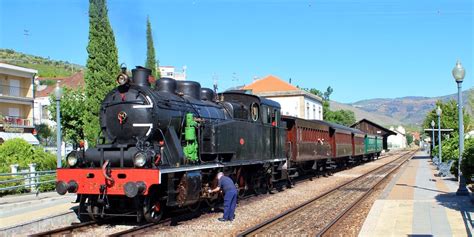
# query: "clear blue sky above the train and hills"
{"points": [[363, 49]]}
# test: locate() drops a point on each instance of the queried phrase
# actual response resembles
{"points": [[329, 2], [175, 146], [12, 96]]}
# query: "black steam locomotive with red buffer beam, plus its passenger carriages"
{"points": [[160, 148]]}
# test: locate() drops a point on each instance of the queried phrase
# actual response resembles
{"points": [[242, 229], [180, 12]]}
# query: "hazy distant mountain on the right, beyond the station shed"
{"points": [[410, 110]]}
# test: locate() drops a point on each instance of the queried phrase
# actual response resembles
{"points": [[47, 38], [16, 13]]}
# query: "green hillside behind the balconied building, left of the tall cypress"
{"points": [[46, 67]]}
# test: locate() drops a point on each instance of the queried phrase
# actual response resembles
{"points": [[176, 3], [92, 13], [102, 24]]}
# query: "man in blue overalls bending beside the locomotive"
{"points": [[230, 196]]}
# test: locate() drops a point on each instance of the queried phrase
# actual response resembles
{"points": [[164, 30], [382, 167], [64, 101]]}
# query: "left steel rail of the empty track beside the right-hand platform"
{"points": [[294, 209]]}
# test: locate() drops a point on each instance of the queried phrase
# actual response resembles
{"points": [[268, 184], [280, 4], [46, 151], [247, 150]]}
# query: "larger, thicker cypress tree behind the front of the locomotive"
{"points": [[102, 66]]}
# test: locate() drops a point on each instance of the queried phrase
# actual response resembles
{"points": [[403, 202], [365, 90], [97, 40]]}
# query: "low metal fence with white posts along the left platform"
{"points": [[28, 180]]}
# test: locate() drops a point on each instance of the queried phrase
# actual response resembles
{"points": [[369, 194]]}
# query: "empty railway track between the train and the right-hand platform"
{"points": [[318, 215]]}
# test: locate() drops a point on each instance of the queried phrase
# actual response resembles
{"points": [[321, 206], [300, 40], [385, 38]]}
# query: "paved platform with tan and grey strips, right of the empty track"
{"points": [[418, 203]]}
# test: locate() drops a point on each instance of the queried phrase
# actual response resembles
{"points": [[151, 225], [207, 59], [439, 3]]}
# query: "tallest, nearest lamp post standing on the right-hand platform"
{"points": [[458, 74]]}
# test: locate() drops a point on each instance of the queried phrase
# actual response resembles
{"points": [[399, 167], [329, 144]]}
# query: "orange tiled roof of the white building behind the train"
{"points": [[269, 83]]}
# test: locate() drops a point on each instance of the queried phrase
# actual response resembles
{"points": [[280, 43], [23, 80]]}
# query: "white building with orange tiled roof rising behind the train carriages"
{"points": [[293, 101]]}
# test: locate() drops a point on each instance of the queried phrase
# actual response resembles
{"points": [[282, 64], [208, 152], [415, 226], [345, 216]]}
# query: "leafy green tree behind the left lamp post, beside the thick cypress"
{"points": [[72, 109]]}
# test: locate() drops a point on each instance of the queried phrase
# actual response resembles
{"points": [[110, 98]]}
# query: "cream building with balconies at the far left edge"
{"points": [[16, 103]]}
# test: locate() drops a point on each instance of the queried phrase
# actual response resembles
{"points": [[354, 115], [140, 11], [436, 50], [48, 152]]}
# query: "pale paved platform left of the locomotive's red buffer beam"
{"points": [[19, 210]]}
